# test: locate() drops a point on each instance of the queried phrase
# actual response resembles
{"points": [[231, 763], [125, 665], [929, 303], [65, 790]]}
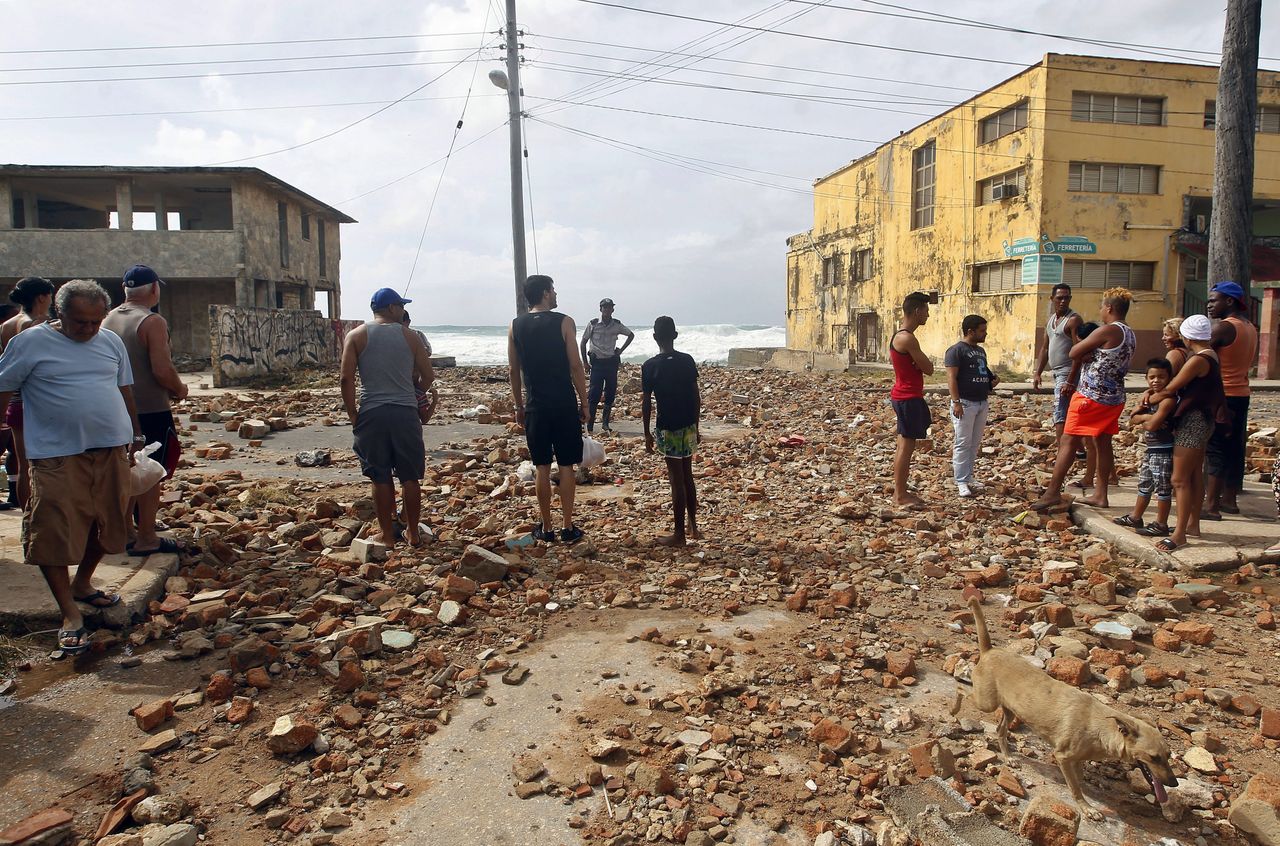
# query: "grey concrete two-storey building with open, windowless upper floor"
{"points": [[217, 236]]}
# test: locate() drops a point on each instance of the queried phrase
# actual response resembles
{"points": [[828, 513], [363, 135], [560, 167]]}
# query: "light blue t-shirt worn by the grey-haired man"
{"points": [[71, 391]]}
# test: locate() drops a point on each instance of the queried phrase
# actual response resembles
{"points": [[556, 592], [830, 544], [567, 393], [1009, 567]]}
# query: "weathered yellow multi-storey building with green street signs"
{"points": [[1094, 172]]}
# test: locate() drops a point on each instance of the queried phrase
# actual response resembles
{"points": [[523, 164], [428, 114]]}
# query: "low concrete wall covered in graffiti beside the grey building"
{"points": [[254, 342]]}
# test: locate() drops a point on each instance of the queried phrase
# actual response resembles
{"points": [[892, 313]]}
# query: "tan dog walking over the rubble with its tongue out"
{"points": [[1076, 725]]}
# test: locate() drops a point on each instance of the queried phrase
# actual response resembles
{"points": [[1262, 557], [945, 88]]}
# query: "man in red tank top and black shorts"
{"points": [[911, 367]]}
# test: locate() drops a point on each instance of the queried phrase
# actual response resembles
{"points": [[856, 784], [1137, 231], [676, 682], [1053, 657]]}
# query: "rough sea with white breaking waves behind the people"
{"points": [[708, 344]]}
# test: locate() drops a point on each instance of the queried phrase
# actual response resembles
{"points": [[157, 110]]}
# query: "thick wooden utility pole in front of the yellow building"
{"points": [[1232, 231]]}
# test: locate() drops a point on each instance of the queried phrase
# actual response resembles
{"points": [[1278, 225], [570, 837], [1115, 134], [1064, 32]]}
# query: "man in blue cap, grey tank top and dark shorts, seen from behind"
{"points": [[388, 435]]}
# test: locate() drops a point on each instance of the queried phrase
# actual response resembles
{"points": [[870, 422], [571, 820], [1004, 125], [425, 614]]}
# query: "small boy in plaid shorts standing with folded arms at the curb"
{"points": [[1158, 464]]}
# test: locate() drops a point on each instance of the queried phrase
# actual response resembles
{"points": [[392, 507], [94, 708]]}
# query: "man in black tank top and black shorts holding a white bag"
{"points": [[545, 363]]}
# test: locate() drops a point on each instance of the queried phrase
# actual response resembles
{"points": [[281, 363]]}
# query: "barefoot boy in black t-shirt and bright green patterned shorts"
{"points": [[673, 377]]}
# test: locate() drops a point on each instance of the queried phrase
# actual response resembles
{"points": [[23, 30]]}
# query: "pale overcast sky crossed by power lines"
{"points": [[657, 237]]}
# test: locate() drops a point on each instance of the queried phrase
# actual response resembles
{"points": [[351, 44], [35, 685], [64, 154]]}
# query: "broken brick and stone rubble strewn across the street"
{"points": [[333, 661]]}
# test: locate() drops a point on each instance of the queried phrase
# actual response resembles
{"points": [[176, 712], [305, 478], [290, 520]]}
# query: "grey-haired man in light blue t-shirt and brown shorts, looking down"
{"points": [[83, 431]]}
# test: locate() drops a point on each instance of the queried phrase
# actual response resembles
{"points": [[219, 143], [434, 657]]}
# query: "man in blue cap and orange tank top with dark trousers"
{"points": [[1236, 340]]}
